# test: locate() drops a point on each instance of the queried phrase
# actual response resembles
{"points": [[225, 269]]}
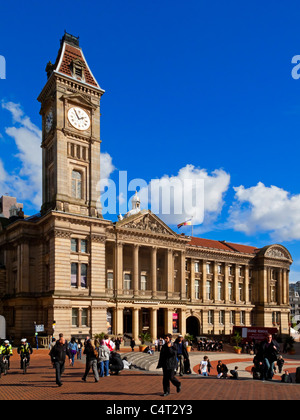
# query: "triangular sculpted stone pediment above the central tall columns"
{"points": [[146, 222]]}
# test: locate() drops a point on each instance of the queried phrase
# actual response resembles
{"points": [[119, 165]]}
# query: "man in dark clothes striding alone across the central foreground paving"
{"points": [[168, 363]]}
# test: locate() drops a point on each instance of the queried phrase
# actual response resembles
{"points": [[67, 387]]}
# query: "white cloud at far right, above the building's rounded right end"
{"points": [[266, 209]]}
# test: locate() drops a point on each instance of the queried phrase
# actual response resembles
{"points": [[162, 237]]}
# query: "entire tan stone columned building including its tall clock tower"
{"points": [[69, 266]]}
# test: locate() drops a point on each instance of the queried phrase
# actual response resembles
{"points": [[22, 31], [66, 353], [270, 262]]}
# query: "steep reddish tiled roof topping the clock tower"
{"points": [[70, 55]]}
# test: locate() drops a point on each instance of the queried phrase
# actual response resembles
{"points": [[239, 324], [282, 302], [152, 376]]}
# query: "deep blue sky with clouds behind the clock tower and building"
{"points": [[202, 88]]}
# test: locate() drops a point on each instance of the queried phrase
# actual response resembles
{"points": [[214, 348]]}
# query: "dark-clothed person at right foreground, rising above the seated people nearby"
{"points": [[267, 356]]}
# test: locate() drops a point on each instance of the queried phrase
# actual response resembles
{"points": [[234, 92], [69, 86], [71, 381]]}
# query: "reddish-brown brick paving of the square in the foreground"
{"points": [[39, 384]]}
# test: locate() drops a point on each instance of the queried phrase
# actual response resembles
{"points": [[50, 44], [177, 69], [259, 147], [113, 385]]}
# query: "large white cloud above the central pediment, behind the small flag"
{"points": [[193, 192]]}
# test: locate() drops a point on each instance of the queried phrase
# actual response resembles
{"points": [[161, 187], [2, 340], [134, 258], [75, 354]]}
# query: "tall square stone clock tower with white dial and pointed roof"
{"points": [[70, 110]]}
